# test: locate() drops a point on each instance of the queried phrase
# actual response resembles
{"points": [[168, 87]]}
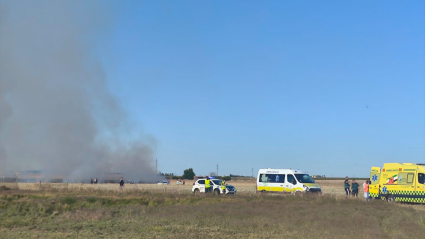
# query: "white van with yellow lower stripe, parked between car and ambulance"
{"points": [[285, 181]]}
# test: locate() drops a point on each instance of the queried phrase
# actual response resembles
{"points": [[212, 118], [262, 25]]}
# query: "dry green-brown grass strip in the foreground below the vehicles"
{"points": [[153, 215]]}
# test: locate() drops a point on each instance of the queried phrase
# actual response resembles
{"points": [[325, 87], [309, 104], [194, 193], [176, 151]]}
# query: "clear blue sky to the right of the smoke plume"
{"points": [[331, 87]]}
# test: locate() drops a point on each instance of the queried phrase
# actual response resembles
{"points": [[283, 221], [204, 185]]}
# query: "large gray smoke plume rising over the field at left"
{"points": [[56, 113]]}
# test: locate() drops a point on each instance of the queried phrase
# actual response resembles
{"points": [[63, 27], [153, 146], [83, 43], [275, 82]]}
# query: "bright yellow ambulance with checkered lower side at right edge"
{"points": [[399, 182]]}
